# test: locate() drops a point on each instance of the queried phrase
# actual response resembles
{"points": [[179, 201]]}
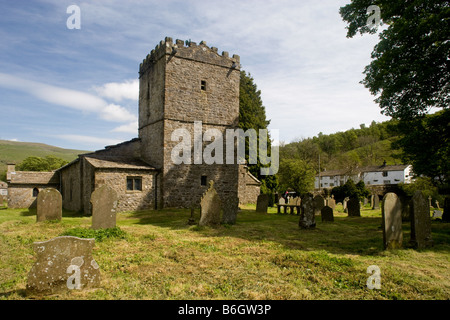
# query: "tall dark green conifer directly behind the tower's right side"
{"points": [[252, 115]]}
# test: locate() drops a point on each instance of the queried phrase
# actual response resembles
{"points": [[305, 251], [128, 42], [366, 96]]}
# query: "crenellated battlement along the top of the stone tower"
{"points": [[191, 51]]}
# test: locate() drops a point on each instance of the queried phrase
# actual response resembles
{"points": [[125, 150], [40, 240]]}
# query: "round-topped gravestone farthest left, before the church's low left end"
{"points": [[49, 205]]}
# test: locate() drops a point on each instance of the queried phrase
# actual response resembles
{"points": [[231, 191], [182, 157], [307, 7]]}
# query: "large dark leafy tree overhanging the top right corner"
{"points": [[410, 69]]}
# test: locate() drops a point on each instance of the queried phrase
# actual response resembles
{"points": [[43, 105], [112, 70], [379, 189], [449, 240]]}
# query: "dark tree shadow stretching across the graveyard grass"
{"points": [[346, 235]]}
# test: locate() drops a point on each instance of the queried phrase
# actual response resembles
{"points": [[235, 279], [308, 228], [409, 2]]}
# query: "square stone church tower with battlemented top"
{"points": [[183, 86]]}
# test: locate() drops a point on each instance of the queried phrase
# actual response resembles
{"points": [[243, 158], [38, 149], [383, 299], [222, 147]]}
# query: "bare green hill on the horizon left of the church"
{"points": [[14, 151]]}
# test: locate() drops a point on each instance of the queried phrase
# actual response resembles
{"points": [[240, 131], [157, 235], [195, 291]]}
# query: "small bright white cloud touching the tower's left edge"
{"points": [[129, 89]]}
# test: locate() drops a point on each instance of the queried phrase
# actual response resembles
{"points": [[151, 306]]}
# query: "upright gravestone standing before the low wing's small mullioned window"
{"points": [[104, 203]]}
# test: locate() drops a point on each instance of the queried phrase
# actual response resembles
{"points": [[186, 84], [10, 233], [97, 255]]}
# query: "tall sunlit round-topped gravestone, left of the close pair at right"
{"points": [[391, 213]]}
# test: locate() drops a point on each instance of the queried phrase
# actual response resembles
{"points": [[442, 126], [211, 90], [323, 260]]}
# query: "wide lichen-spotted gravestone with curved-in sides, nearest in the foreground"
{"points": [[63, 263]]}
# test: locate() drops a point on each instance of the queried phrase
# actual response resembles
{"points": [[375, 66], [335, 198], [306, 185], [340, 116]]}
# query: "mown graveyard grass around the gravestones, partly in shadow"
{"points": [[157, 255]]}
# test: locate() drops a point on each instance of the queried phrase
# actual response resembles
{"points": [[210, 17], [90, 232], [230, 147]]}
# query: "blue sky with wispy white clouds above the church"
{"points": [[78, 89]]}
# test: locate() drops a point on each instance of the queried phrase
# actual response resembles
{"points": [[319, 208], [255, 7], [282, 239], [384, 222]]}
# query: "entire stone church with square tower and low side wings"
{"points": [[179, 84]]}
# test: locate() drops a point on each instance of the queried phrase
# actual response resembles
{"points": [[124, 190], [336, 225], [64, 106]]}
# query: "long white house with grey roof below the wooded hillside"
{"points": [[372, 175]]}
